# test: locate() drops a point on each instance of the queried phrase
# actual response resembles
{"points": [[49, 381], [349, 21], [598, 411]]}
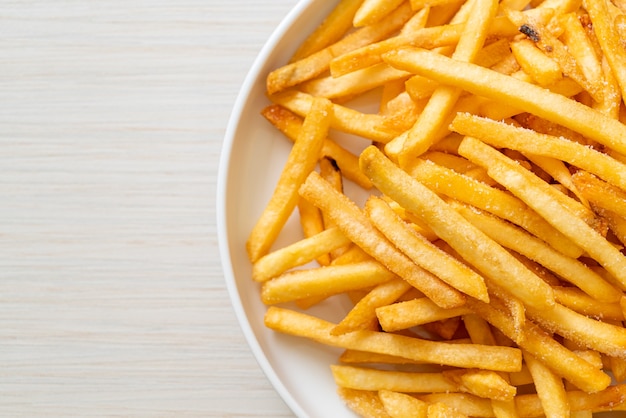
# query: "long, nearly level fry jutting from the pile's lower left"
{"points": [[458, 355]]}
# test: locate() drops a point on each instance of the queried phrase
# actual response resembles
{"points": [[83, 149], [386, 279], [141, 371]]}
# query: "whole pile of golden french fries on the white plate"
{"points": [[485, 270]]}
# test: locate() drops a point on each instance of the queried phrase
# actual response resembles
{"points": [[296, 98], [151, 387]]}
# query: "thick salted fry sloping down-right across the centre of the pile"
{"points": [[491, 259]]}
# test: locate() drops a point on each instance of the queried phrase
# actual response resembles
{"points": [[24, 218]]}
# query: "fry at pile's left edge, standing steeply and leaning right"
{"points": [[301, 161]]}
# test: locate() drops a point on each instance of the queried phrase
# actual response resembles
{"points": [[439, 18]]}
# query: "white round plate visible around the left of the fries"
{"points": [[252, 157]]}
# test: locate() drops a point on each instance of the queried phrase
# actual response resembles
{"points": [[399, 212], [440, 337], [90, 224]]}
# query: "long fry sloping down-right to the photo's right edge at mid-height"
{"points": [[538, 195]]}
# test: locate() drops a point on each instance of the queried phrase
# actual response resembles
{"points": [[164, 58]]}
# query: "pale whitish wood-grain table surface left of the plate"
{"points": [[112, 299]]}
